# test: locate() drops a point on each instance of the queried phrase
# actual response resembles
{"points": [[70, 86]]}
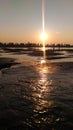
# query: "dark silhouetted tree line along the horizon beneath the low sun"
{"points": [[11, 44]]}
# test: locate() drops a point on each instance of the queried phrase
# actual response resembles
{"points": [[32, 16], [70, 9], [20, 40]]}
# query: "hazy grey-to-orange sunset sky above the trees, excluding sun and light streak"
{"points": [[21, 20]]}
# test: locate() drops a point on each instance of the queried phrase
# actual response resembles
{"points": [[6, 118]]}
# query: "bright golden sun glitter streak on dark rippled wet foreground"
{"points": [[41, 97]]}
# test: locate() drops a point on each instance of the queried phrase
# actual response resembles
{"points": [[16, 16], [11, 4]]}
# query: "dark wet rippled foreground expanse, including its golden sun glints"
{"points": [[36, 95]]}
